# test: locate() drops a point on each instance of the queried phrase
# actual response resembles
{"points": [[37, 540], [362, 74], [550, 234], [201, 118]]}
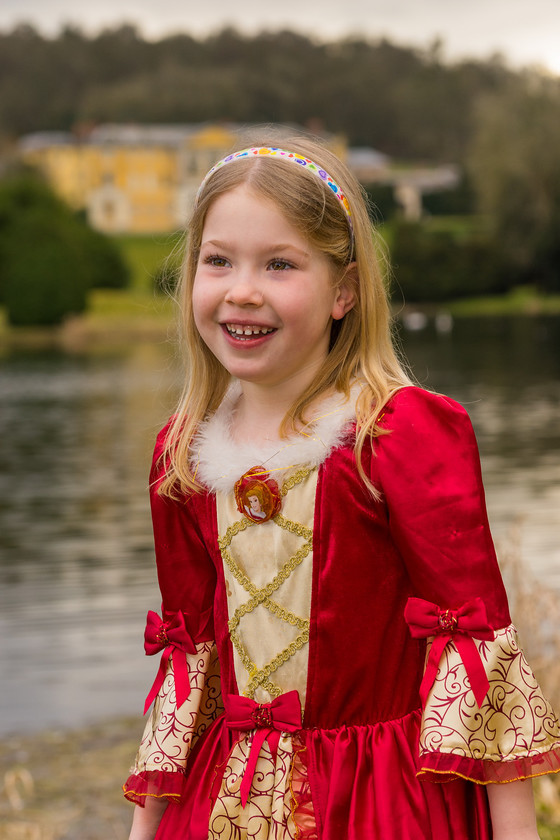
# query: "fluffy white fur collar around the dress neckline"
{"points": [[220, 461]]}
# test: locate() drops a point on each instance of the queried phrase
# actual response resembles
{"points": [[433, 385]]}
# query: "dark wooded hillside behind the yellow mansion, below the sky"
{"points": [[406, 102]]}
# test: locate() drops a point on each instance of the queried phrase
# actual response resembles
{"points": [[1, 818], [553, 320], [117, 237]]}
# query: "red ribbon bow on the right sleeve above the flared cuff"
{"points": [[462, 626]]}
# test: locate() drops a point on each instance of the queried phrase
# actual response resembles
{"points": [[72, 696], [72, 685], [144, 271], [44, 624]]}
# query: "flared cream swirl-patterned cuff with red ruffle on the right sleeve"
{"points": [[507, 737]]}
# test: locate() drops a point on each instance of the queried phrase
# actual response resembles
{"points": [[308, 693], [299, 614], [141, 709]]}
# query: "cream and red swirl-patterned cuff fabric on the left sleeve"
{"points": [[171, 732]]}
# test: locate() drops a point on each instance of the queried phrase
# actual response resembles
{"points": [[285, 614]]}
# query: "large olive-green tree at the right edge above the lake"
{"points": [[515, 165]]}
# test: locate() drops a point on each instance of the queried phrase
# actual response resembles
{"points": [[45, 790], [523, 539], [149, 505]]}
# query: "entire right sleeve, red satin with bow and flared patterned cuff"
{"points": [[484, 717]]}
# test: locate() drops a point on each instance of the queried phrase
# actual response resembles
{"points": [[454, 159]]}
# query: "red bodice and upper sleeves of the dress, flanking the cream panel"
{"points": [[427, 535]]}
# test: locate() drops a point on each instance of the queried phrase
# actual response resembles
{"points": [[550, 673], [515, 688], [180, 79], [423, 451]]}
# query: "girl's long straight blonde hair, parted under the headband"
{"points": [[361, 343]]}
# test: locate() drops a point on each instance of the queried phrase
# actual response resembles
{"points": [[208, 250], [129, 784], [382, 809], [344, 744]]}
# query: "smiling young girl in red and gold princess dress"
{"points": [[335, 638]]}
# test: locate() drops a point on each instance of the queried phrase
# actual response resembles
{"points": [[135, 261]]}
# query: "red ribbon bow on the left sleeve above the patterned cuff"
{"points": [[170, 636]]}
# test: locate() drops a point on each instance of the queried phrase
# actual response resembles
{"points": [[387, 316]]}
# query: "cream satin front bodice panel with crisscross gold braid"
{"points": [[268, 575]]}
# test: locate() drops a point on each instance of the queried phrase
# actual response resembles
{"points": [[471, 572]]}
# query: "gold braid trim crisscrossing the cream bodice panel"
{"points": [[260, 676]]}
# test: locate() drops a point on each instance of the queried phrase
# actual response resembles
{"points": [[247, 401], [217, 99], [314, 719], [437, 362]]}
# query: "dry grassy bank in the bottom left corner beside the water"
{"points": [[62, 784]]}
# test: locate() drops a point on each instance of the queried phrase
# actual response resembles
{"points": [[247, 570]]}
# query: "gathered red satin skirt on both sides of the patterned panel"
{"points": [[362, 786]]}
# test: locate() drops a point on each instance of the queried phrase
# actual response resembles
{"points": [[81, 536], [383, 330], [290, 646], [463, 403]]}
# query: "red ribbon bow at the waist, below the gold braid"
{"points": [[268, 720]]}
